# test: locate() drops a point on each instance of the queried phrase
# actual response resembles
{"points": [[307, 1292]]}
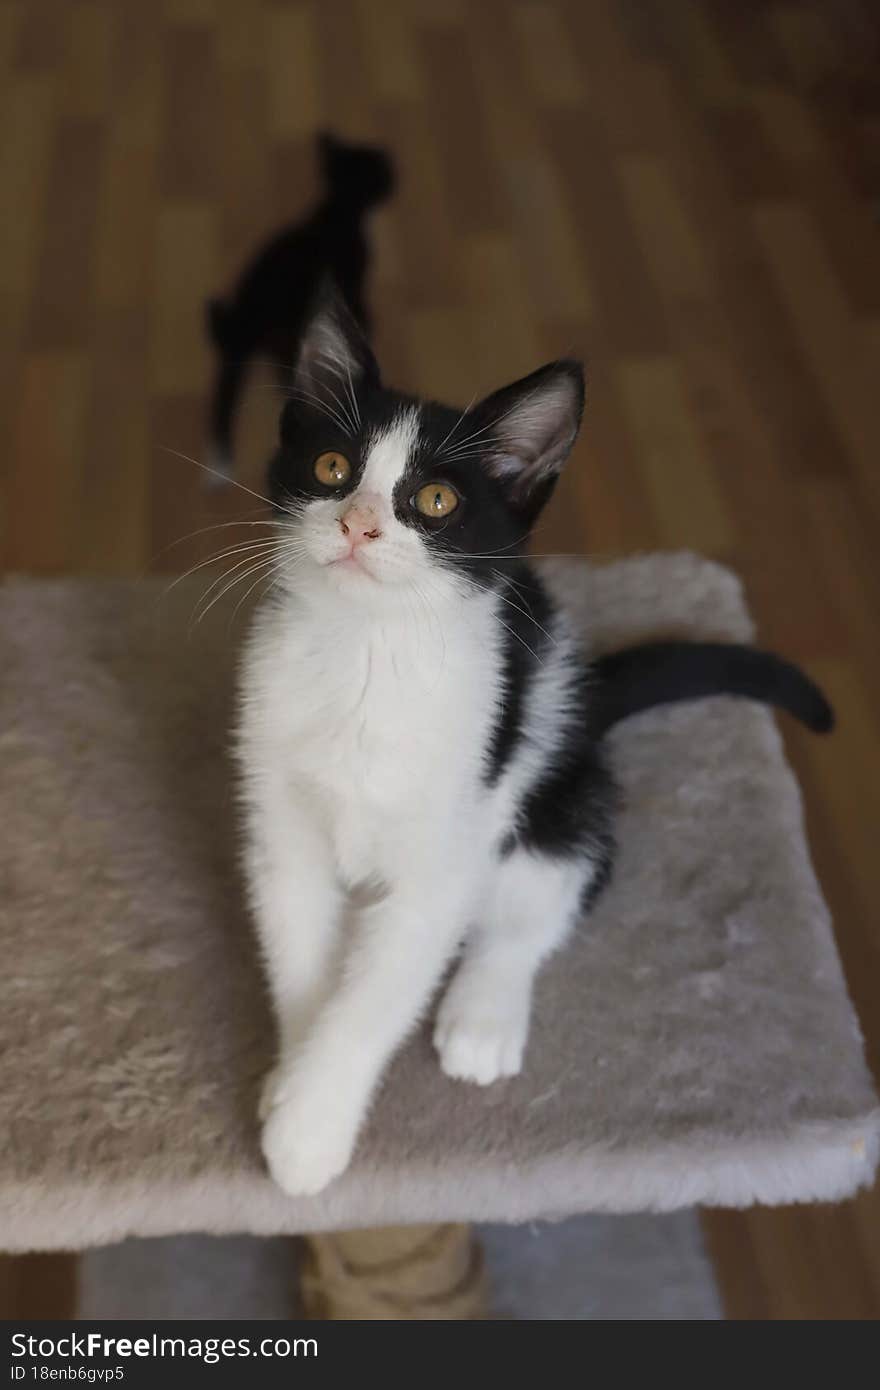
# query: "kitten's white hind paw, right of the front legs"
{"points": [[480, 1045]]}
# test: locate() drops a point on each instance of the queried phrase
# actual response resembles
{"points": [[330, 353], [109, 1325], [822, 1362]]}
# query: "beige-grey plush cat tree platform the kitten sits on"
{"points": [[693, 1045]]}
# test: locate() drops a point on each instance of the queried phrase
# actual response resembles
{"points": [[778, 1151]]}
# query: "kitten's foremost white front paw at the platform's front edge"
{"points": [[307, 1143]]}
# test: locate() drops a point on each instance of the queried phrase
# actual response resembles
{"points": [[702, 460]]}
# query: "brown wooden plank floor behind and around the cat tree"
{"points": [[687, 194]]}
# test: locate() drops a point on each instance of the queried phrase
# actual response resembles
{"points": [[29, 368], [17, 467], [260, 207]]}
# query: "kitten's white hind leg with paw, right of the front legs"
{"points": [[483, 1020]]}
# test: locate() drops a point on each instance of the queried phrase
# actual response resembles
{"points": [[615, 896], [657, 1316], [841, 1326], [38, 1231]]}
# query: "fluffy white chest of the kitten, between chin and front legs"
{"points": [[383, 732]]}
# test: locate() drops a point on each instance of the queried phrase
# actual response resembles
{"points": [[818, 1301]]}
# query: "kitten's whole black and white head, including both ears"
{"points": [[389, 497]]}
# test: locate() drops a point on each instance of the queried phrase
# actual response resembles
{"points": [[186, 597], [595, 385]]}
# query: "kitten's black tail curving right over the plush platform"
{"points": [[664, 673]]}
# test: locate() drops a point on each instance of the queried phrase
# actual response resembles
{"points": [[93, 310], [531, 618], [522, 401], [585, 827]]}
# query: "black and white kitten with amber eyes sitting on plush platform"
{"points": [[422, 733]]}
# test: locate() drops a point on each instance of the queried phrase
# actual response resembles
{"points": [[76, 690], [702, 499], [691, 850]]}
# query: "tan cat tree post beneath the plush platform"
{"points": [[394, 1273]]}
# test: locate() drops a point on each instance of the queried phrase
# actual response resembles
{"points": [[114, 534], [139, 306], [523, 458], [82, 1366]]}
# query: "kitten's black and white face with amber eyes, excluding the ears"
{"points": [[389, 502]]}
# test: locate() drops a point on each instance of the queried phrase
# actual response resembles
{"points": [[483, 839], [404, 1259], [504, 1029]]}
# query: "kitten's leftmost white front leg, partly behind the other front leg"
{"points": [[297, 903]]}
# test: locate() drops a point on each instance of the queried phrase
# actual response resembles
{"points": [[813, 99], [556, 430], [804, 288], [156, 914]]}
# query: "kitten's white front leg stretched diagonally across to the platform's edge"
{"points": [[402, 947]]}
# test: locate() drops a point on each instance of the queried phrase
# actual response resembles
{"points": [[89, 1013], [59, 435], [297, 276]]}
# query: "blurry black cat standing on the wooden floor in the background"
{"points": [[265, 315]]}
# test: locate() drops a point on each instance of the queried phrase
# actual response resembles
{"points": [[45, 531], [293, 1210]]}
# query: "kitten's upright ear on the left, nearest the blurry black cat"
{"points": [[333, 351]]}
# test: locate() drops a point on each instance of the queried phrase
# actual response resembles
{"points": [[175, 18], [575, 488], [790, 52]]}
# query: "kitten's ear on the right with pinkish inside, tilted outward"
{"points": [[530, 429]]}
